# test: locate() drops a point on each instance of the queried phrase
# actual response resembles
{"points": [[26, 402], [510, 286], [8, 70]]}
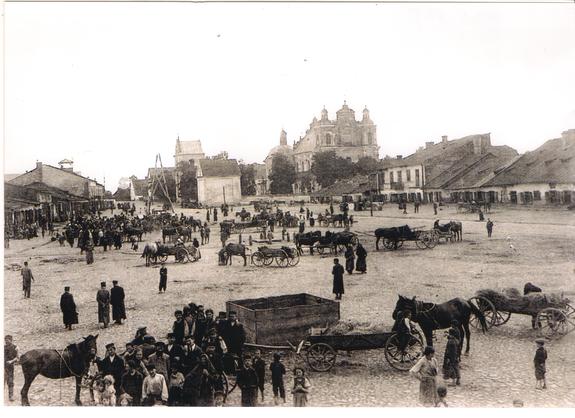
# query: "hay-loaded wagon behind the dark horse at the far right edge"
{"points": [[553, 316]]}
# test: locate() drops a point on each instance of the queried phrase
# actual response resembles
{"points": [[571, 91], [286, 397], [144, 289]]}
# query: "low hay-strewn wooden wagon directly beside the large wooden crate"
{"points": [[320, 351]]}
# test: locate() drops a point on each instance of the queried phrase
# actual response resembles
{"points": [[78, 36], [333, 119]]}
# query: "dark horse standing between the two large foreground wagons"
{"points": [[431, 316]]}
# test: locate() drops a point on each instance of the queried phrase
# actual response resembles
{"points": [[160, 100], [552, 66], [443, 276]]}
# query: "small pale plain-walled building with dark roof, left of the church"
{"points": [[218, 181]]}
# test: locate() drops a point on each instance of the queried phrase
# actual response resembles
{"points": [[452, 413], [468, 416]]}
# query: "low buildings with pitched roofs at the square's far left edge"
{"points": [[51, 194]]}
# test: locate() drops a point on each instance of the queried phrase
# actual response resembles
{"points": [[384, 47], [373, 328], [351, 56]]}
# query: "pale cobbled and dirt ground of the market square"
{"points": [[527, 245]]}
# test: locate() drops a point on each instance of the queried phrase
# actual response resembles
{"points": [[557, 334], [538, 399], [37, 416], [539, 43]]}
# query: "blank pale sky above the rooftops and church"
{"points": [[111, 85]]}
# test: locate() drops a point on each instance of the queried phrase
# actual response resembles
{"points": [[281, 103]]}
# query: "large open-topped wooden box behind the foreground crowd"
{"points": [[278, 319]]}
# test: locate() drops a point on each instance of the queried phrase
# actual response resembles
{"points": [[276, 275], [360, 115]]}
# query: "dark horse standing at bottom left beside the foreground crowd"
{"points": [[54, 364]]}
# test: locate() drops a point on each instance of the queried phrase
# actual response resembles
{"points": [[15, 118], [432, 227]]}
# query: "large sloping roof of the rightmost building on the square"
{"points": [[553, 162]]}
